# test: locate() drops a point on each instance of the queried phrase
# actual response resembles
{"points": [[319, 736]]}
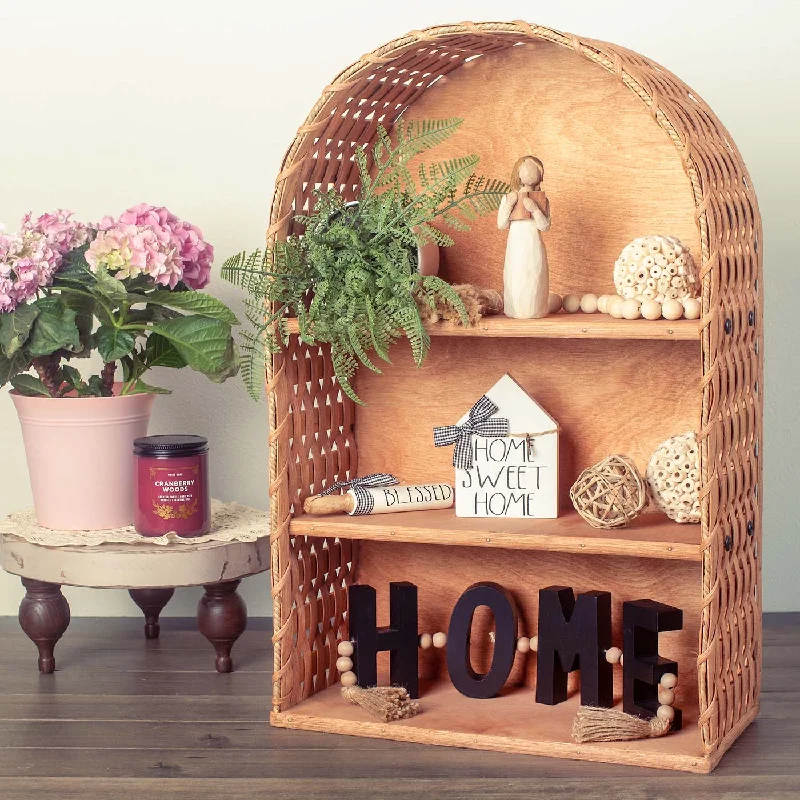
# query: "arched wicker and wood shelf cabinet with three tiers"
{"points": [[629, 150]]}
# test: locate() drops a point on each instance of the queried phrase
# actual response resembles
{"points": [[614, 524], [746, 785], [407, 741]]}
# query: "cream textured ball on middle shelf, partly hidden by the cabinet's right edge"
{"points": [[673, 476]]}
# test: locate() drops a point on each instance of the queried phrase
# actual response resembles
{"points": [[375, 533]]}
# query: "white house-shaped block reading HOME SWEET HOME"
{"points": [[515, 475]]}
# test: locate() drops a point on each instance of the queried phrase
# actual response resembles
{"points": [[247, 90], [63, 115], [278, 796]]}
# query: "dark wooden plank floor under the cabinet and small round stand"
{"points": [[124, 718]]}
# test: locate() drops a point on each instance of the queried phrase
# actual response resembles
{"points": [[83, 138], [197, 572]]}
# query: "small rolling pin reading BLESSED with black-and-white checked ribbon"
{"points": [[385, 500]]}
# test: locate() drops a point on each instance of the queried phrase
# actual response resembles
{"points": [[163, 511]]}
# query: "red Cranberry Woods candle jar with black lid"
{"points": [[172, 485]]}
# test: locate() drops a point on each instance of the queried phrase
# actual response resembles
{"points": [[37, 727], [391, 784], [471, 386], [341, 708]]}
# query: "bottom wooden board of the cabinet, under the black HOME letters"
{"points": [[512, 723]]}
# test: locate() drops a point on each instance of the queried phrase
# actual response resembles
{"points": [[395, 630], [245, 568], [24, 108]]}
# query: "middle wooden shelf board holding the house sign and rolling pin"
{"points": [[650, 535]]}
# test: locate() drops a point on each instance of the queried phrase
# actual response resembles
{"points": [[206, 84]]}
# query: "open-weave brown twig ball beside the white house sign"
{"points": [[610, 494]]}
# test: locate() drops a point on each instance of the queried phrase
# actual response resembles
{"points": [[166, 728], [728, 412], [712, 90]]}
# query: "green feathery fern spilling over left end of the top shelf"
{"points": [[351, 279]]}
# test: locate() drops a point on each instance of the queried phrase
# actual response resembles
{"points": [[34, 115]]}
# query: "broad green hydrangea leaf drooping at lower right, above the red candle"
{"points": [[206, 345]]}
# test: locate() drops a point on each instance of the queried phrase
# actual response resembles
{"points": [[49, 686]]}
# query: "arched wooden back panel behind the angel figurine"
{"points": [[610, 172]]}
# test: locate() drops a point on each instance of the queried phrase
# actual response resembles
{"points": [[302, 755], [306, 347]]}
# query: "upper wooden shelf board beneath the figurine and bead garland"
{"points": [[566, 326]]}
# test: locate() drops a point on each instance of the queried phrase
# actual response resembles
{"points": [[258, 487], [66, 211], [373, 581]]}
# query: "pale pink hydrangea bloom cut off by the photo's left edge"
{"points": [[28, 261]]}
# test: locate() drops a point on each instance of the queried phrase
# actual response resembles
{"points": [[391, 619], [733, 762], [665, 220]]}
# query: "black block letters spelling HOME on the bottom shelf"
{"points": [[573, 632]]}
